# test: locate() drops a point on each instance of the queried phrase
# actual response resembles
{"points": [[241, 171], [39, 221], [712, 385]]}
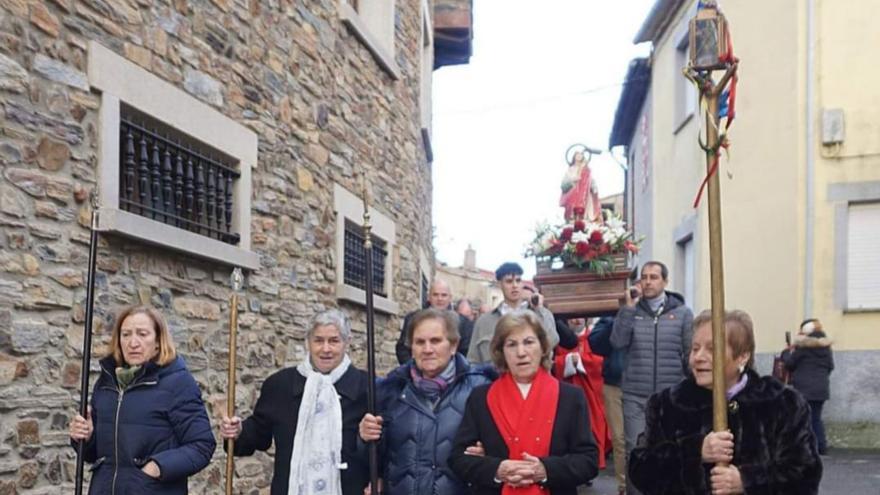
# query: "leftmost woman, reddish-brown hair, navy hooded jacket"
{"points": [[147, 430]]}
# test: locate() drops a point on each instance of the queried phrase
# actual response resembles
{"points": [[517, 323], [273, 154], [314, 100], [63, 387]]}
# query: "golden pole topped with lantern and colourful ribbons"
{"points": [[711, 49]]}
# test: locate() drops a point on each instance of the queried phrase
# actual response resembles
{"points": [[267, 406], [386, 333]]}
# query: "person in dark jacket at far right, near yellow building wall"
{"points": [[810, 361]]}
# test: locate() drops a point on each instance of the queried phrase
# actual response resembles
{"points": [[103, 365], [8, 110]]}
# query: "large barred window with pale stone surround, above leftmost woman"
{"points": [[173, 171]]}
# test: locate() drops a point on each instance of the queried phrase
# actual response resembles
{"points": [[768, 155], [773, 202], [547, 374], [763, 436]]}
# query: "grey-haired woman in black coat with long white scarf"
{"points": [[311, 412]]}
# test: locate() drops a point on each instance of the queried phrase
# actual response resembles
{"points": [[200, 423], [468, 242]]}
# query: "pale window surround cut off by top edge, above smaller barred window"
{"points": [[373, 24]]}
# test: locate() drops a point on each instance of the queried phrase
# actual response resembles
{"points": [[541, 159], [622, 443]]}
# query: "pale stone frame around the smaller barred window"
{"points": [[350, 207]]}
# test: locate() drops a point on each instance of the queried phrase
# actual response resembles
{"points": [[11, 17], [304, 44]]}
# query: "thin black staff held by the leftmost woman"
{"points": [[87, 337]]}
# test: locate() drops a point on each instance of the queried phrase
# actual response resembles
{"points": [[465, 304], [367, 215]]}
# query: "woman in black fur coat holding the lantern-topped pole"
{"points": [[769, 447]]}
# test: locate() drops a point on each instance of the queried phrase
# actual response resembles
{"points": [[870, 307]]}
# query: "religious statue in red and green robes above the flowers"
{"points": [[580, 194]]}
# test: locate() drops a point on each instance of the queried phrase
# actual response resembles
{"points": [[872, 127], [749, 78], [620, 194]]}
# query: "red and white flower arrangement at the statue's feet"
{"points": [[584, 244]]}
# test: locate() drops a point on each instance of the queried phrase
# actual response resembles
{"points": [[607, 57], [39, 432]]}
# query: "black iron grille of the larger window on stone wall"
{"points": [[171, 179]]}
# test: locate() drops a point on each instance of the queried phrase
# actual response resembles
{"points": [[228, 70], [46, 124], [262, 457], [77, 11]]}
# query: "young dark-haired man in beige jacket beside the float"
{"points": [[509, 277]]}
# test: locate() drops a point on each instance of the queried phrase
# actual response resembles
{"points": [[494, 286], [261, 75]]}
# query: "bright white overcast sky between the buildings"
{"points": [[543, 75]]}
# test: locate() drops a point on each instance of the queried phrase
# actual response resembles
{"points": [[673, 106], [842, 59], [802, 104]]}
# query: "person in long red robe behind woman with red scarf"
{"points": [[582, 368]]}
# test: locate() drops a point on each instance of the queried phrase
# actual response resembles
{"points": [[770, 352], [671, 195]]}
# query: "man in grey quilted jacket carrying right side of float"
{"points": [[654, 328]]}
